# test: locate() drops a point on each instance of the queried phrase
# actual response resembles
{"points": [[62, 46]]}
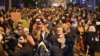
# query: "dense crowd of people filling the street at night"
{"points": [[52, 31]]}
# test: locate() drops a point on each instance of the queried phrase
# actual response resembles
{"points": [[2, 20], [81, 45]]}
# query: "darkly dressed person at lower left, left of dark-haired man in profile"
{"points": [[10, 41]]}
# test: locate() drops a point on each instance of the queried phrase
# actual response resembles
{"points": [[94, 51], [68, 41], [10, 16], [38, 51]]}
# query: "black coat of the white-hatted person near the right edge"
{"points": [[90, 41]]}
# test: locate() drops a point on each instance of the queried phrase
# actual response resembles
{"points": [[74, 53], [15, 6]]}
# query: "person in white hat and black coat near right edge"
{"points": [[90, 40]]}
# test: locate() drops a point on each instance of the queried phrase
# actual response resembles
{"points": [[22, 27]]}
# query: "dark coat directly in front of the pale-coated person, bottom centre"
{"points": [[56, 50]]}
